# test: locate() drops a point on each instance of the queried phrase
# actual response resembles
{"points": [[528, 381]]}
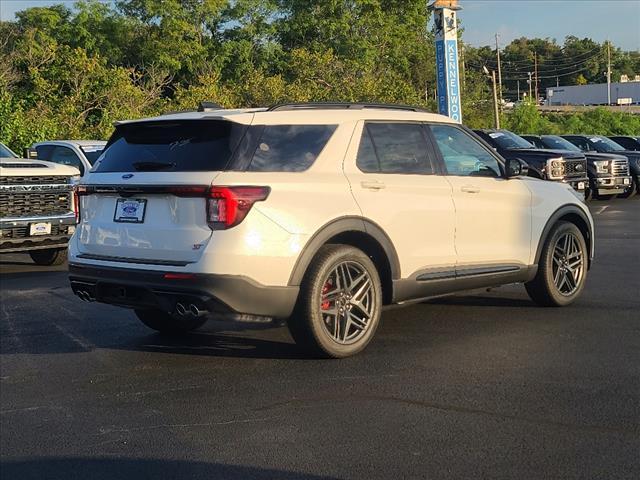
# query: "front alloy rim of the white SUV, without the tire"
{"points": [[568, 264]]}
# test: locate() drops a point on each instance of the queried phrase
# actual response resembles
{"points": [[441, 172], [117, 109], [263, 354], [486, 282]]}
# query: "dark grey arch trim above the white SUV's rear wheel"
{"points": [[360, 233]]}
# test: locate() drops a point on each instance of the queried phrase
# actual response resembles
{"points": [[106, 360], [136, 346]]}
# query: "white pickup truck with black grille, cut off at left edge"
{"points": [[37, 208]]}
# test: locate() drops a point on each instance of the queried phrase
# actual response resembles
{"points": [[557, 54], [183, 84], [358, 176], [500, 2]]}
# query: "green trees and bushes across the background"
{"points": [[73, 72]]}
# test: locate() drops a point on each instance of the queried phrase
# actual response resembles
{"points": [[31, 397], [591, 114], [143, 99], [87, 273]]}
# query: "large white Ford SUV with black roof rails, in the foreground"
{"points": [[319, 214]]}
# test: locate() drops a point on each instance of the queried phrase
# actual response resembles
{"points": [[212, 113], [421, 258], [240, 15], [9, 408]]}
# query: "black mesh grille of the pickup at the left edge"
{"points": [[31, 204]]}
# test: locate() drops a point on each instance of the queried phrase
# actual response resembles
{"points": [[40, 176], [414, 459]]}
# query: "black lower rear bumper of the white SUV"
{"points": [[133, 288]]}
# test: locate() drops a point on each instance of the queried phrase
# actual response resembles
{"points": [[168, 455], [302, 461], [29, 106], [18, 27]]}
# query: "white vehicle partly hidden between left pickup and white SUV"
{"points": [[81, 154]]}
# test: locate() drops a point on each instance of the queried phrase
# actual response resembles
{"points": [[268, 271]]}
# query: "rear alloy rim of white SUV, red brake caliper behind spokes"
{"points": [[347, 302]]}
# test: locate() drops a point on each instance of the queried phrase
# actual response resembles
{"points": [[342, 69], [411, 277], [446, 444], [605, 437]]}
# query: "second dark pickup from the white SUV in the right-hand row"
{"points": [[602, 182]]}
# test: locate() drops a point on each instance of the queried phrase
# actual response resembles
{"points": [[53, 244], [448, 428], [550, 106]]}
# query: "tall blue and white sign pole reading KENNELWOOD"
{"points": [[447, 70]]}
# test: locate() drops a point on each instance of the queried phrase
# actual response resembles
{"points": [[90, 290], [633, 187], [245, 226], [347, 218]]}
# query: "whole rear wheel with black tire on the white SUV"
{"points": [[314, 325]]}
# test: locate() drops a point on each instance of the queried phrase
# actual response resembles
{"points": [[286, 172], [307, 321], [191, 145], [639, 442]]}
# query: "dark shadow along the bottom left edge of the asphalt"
{"points": [[69, 468]]}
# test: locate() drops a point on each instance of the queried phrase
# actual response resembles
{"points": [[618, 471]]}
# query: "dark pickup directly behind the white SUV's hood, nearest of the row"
{"points": [[564, 166]]}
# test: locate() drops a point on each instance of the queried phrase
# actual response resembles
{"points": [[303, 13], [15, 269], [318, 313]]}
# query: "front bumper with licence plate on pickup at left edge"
{"points": [[35, 233]]}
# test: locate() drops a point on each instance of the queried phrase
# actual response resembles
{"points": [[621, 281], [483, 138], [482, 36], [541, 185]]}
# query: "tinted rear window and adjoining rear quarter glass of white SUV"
{"points": [[211, 145]]}
